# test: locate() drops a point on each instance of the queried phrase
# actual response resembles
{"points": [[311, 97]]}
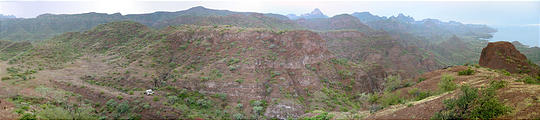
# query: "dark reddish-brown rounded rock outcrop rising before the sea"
{"points": [[503, 55]]}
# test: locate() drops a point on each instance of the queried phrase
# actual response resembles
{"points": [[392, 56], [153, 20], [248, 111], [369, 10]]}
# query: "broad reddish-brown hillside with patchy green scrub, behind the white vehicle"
{"points": [[271, 74]]}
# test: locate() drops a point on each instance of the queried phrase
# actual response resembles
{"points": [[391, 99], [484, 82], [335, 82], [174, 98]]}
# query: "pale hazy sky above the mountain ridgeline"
{"points": [[500, 14]]}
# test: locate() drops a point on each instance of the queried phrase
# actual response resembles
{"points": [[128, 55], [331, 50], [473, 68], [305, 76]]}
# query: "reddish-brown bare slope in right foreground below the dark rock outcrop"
{"points": [[521, 97]]}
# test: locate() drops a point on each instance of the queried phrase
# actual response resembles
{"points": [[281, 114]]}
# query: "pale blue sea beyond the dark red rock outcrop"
{"points": [[525, 34]]}
